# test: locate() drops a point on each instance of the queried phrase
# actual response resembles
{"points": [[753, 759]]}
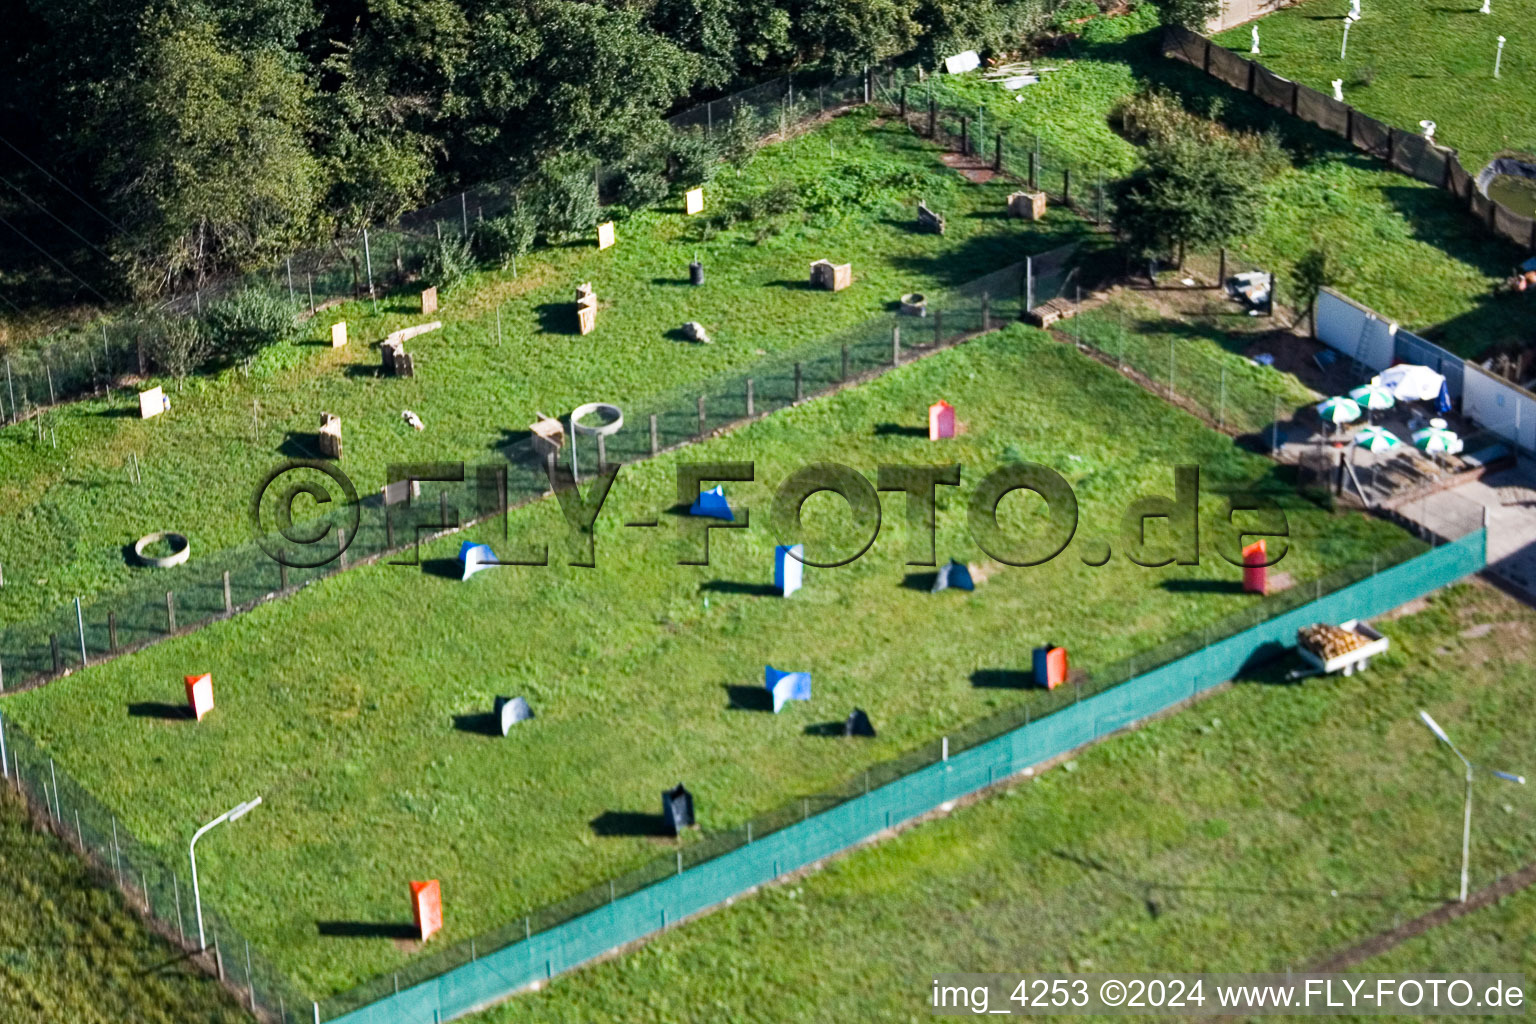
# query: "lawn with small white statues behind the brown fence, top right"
{"points": [[1445, 76]]}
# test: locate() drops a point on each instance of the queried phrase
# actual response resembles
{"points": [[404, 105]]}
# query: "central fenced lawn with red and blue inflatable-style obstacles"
{"points": [[354, 707]]}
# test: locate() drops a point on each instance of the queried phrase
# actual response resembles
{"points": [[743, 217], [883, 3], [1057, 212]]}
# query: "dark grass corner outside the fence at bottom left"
{"points": [[71, 953]]}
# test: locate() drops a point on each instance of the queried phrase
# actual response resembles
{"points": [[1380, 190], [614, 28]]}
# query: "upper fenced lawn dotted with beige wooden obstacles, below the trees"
{"points": [[67, 512]]}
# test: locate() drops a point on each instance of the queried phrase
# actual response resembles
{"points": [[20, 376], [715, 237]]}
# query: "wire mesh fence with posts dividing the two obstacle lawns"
{"points": [[227, 583]]}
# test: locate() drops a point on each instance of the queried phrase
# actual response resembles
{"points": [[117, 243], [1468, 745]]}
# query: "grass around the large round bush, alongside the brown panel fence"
{"points": [[1399, 246]]}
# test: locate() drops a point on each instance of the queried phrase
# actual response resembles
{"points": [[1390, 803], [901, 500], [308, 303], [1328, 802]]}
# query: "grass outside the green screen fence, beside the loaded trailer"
{"points": [[1262, 830]]}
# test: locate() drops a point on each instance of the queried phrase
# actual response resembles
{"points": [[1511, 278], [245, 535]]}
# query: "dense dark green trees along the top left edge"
{"points": [[211, 137]]}
